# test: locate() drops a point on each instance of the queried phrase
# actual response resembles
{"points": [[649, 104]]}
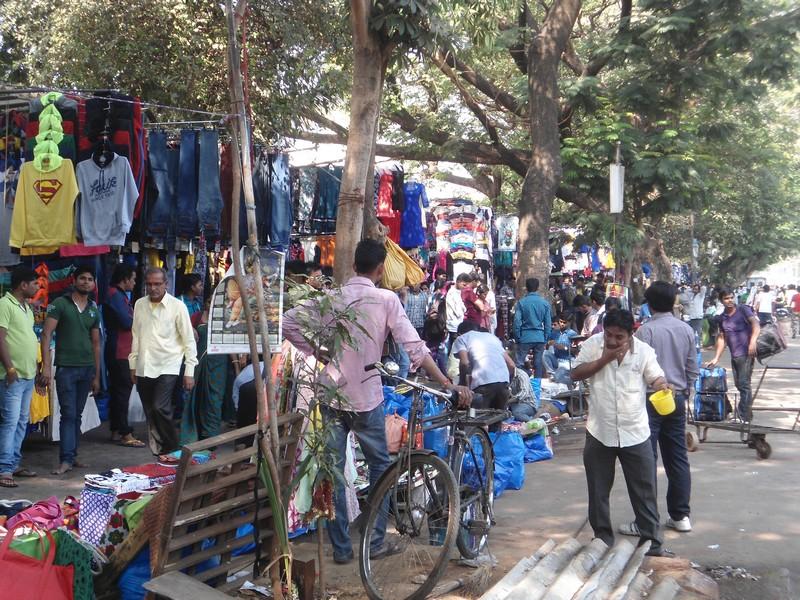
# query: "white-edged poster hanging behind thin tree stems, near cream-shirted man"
{"points": [[227, 329]]}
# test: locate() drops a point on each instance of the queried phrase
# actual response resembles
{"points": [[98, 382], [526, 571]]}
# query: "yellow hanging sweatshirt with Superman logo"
{"points": [[44, 210]]}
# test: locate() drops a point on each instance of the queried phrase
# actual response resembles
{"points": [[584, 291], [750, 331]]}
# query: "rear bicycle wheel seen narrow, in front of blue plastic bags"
{"points": [[473, 466]]}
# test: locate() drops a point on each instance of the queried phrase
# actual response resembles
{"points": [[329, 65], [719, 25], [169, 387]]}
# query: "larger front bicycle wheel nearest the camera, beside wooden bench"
{"points": [[416, 502]]}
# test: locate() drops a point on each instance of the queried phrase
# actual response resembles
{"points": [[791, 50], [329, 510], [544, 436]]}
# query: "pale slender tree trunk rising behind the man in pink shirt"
{"points": [[369, 67]]}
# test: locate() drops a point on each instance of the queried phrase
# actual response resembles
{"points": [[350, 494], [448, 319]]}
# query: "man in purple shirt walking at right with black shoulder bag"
{"points": [[739, 329]]}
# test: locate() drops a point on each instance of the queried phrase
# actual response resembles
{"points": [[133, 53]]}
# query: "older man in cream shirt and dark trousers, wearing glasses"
{"points": [[162, 339]]}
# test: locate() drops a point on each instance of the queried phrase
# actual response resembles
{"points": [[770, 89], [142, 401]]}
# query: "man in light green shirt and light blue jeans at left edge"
{"points": [[18, 346]]}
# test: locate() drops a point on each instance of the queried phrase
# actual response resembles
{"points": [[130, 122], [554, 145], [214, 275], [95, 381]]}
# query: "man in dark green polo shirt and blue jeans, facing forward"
{"points": [[76, 321]]}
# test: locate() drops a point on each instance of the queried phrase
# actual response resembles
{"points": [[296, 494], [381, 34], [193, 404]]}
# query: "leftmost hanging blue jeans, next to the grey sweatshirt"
{"points": [[164, 169]]}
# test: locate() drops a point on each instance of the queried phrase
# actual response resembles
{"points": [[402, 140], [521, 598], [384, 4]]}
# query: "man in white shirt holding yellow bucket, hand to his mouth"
{"points": [[619, 369]]}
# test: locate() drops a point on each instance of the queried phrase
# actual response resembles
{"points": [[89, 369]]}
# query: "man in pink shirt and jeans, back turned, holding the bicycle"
{"points": [[380, 313]]}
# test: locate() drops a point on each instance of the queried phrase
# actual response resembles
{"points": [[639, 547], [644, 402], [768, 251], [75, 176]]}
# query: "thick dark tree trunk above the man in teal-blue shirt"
{"points": [[544, 173]]}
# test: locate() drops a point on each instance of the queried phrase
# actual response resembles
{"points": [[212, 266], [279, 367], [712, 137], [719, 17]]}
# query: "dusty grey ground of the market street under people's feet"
{"points": [[745, 511]]}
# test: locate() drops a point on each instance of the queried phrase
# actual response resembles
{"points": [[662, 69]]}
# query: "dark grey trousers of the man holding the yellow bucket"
{"points": [[639, 468]]}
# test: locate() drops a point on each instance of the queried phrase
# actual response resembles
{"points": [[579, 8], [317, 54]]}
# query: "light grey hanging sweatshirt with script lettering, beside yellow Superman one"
{"points": [[108, 198]]}
